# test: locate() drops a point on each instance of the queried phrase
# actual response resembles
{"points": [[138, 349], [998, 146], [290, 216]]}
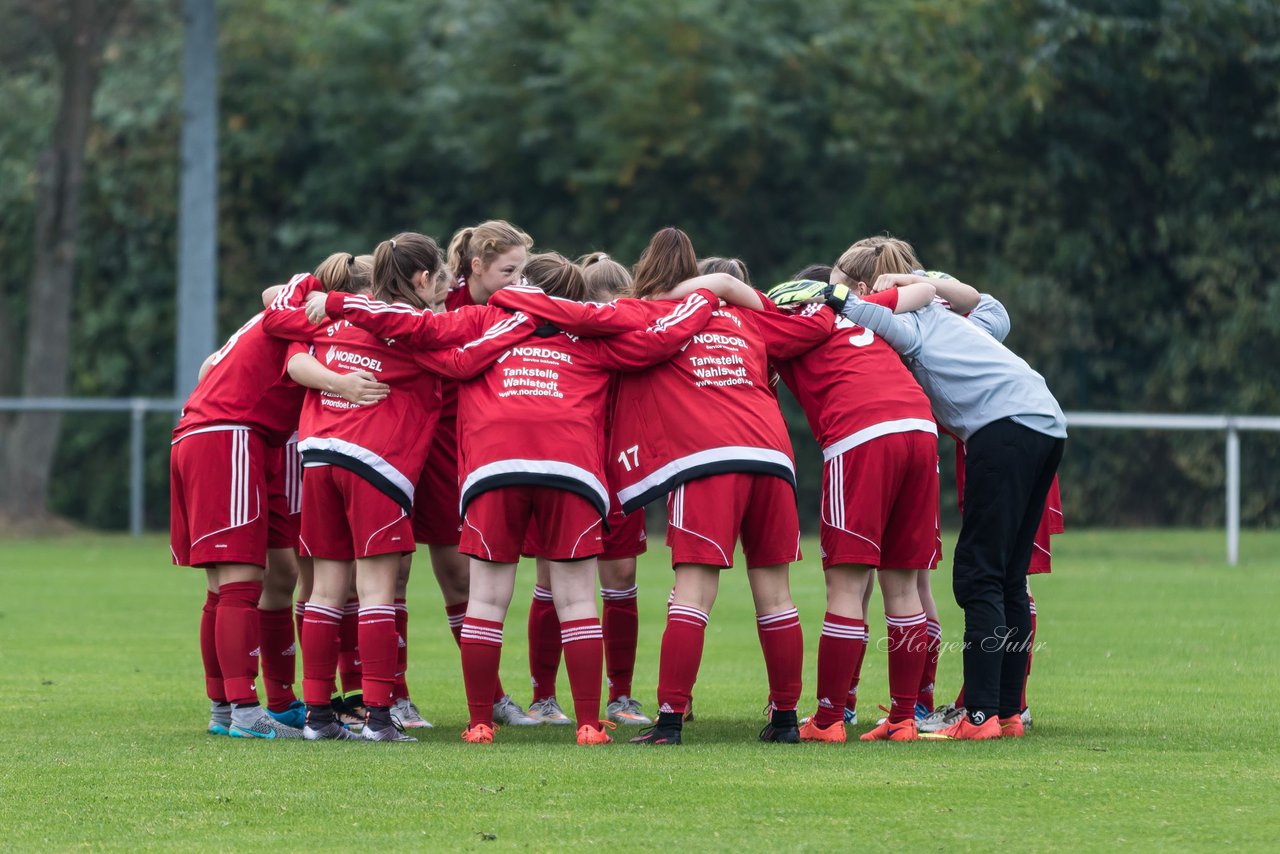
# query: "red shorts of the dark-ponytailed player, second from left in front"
{"points": [[346, 518]]}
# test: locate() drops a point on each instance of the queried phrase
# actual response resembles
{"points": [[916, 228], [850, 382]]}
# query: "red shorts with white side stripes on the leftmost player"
{"points": [[218, 499]]}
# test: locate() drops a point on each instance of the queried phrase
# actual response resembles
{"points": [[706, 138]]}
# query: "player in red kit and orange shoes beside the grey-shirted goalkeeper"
{"points": [[880, 504]]}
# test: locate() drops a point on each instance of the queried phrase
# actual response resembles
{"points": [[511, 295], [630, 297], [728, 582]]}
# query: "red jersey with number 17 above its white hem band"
{"points": [[708, 410]]}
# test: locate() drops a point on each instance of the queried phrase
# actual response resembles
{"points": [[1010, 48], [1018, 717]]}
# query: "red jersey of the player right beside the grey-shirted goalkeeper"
{"points": [[853, 387]]}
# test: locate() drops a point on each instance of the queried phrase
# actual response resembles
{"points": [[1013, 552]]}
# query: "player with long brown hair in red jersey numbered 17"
{"points": [[726, 464]]}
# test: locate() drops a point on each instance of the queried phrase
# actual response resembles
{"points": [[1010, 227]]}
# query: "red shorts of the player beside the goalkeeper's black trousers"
{"points": [[880, 504]]}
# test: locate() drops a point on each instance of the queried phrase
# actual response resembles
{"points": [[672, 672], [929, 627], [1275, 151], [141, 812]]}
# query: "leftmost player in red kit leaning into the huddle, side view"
{"points": [[241, 410]]}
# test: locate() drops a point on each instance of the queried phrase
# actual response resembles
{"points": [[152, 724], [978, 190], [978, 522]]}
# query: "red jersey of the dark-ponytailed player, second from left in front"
{"points": [[386, 442]]}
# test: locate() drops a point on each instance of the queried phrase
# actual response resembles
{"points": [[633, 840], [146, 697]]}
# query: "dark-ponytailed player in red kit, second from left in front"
{"points": [[363, 464]]}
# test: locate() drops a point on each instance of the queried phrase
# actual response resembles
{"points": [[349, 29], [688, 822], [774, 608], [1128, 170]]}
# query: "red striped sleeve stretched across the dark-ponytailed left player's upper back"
{"points": [[395, 321]]}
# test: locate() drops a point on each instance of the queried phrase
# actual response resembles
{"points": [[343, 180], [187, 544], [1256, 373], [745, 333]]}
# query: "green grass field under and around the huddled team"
{"points": [[1154, 695]]}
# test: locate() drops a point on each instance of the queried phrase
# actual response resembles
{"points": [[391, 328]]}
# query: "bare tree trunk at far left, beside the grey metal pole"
{"points": [[77, 31]]}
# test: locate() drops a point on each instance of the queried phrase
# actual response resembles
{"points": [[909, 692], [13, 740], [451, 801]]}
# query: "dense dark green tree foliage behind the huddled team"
{"points": [[1110, 170]]}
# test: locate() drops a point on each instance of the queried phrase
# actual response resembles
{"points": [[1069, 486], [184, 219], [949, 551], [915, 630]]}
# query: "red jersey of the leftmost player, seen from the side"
{"points": [[248, 386]]}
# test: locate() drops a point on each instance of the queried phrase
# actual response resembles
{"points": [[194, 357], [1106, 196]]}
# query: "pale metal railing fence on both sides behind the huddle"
{"points": [[1229, 424]]}
